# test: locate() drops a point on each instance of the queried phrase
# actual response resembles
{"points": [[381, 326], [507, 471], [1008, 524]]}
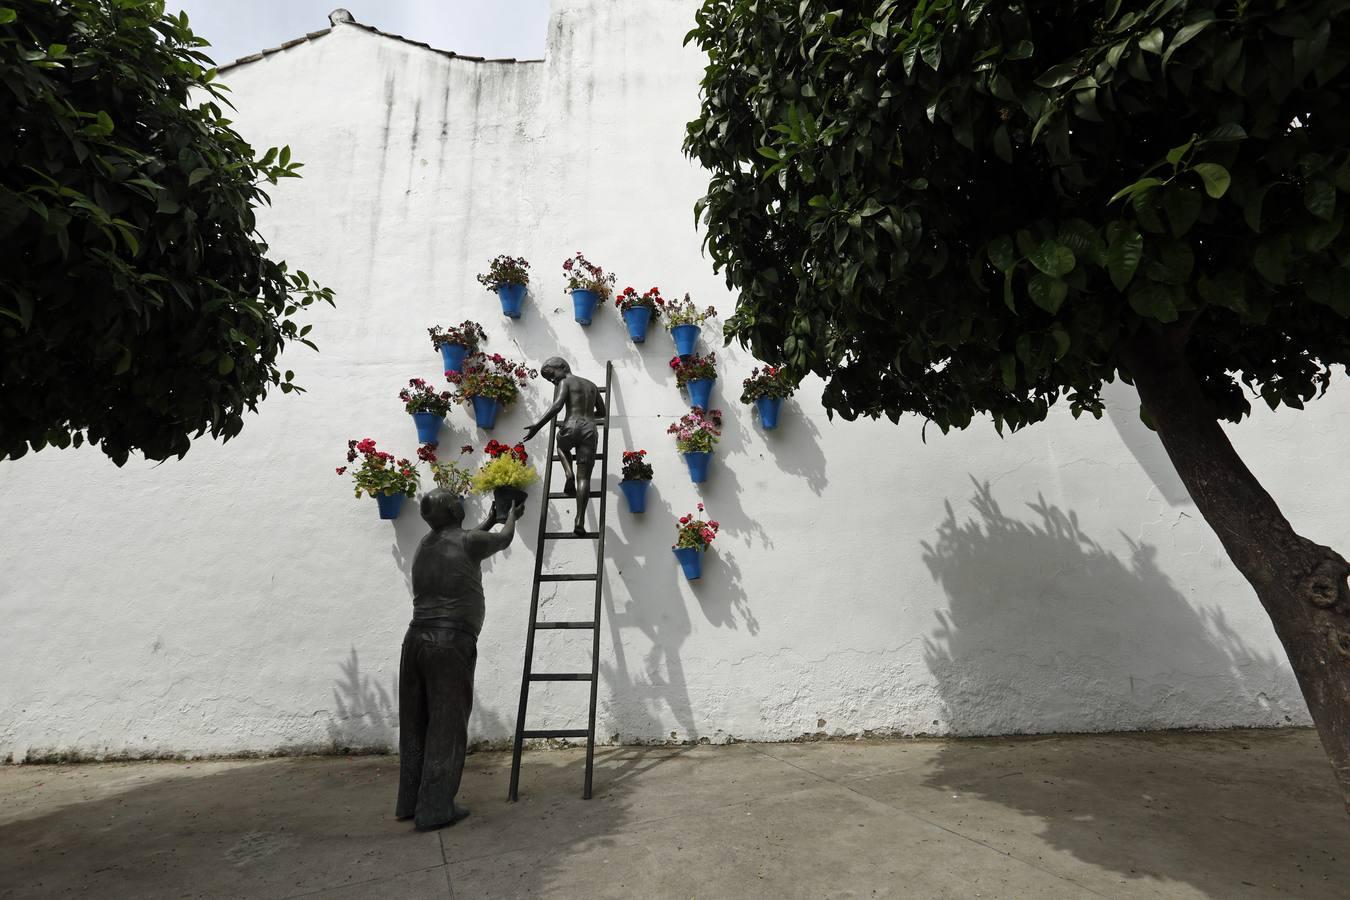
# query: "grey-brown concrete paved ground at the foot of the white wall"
{"points": [[1237, 814]]}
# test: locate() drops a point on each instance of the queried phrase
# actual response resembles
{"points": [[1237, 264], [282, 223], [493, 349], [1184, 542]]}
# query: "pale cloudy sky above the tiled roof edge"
{"points": [[473, 28]]}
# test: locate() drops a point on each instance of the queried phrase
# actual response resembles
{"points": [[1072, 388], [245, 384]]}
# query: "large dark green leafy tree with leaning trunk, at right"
{"points": [[965, 210]]}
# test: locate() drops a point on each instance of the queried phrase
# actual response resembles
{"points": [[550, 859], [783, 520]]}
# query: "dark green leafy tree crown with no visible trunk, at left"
{"points": [[138, 304]]}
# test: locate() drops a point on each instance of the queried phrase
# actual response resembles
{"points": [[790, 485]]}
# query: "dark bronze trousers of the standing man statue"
{"points": [[435, 698]]}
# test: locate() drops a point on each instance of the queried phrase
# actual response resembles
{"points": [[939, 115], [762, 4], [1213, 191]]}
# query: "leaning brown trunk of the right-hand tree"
{"points": [[1303, 586]]}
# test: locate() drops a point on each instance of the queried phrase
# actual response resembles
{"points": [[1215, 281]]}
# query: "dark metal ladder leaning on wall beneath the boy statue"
{"points": [[593, 625]]}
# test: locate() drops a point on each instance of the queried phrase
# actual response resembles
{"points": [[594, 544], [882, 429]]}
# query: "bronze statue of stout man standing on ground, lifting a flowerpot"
{"points": [[441, 650]]}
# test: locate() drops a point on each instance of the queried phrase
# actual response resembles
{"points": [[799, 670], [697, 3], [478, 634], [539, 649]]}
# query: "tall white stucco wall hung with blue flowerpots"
{"points": [[866, 581]]}
